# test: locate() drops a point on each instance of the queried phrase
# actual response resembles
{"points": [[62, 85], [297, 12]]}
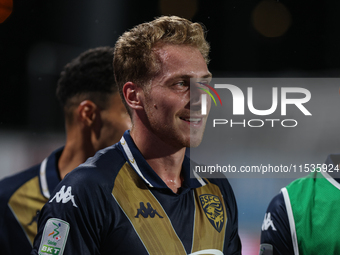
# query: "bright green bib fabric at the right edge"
{"points": [[316, 209]]}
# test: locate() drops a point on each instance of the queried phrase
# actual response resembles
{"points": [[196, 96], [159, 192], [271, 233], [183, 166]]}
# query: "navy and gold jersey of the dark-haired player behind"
{"points": [[21, 198]]}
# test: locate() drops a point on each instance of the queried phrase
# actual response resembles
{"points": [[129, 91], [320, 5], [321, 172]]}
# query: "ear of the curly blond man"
{"points": [[133, 95]]}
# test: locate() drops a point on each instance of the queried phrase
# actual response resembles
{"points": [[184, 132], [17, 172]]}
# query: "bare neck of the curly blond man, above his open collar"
{"points": [[165, 160]]}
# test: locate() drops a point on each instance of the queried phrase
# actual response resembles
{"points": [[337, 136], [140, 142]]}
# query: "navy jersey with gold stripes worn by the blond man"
{"points": [[115, 203]]}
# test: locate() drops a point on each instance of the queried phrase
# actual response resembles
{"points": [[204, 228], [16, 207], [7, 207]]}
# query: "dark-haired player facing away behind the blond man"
{"points": [[95, 118]]}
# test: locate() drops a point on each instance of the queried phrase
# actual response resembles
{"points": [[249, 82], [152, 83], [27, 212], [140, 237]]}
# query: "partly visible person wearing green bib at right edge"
{"points": [[304, 217]]}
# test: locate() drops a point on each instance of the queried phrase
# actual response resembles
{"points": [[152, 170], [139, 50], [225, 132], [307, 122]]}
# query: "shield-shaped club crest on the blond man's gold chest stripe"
{"points": [[213, 209]]}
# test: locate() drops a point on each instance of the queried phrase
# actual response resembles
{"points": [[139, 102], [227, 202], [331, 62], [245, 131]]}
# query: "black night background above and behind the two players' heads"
{"points": [[40, 37]]}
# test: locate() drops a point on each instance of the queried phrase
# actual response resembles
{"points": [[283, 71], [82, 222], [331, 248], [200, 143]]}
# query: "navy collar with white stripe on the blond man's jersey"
{"points": [[144, 170]]}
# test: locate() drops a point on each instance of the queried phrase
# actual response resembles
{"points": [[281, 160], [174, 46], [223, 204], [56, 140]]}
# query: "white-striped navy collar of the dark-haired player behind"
{"points": [[49, 173]]}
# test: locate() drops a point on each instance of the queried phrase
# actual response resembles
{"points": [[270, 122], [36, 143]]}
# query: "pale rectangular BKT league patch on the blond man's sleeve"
{"points": [[54, 237]]}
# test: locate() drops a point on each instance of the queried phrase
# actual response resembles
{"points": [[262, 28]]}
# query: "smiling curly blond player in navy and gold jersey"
{"points": [[137, 196]]}
